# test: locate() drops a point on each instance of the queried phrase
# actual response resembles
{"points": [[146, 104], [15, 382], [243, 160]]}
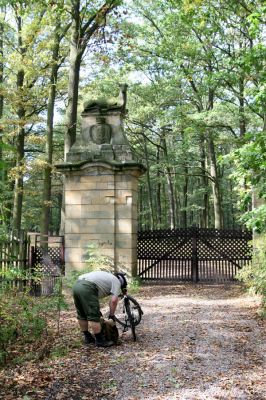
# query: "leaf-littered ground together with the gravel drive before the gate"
{"points": [[195, 342]]}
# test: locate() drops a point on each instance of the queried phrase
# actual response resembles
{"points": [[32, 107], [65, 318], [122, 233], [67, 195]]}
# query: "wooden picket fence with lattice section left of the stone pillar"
{"points": [[33, 254]]}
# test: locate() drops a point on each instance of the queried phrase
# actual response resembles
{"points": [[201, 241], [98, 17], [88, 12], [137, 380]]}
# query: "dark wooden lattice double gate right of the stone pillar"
{"points": [[194, 254]]}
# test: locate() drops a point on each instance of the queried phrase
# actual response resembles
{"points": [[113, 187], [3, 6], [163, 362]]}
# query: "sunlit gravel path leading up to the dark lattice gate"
{"points": [[195, 343]]}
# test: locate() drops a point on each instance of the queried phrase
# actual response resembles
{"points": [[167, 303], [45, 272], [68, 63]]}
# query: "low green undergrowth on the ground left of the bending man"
{"points": [[25, 319]]}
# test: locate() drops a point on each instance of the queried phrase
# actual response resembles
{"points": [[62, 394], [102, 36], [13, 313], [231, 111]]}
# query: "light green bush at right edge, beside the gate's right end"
{"points": [[254, 274]]}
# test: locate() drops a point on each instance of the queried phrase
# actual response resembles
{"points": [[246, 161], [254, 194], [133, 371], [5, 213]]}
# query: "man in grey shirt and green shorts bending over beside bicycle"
{"points": [[87, 291]]}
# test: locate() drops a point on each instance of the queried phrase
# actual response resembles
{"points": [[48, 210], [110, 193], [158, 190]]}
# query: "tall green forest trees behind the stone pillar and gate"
{"points": [[196, 105]]}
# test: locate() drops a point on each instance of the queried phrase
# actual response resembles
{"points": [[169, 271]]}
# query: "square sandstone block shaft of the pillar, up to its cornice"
{"points": [[101, 214]]}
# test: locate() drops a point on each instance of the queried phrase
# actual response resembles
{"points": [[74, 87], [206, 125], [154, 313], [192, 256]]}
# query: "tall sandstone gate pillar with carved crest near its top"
{"points": [[101, 190]]}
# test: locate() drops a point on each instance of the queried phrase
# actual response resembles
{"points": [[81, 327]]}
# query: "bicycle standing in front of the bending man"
{"points": [[130, 314]]}
